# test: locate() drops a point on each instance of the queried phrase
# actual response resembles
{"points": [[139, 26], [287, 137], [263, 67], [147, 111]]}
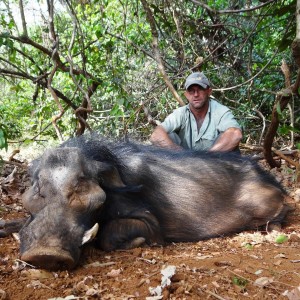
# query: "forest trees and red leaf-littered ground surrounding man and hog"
{"points": [[118, 67]]}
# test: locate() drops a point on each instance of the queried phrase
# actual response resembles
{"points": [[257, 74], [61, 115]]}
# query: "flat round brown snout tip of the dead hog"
{"points": [[49, 258]]}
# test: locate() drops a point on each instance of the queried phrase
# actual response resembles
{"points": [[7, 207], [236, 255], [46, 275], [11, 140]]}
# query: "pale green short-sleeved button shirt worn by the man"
{"points": [[182, 122]]}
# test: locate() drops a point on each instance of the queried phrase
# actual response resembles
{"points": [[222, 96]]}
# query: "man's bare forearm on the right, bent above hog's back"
{"points": [[228, 140]]}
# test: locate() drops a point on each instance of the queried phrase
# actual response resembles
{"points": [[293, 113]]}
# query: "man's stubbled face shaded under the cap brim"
{"points": [[197, 96]]}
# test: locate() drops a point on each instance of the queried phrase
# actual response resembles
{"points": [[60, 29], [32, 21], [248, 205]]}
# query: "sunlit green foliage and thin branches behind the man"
{"points": [[113, 47]]}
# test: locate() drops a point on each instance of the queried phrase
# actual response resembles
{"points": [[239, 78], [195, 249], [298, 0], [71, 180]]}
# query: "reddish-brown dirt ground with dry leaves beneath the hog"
{"points": [[249, 265]]}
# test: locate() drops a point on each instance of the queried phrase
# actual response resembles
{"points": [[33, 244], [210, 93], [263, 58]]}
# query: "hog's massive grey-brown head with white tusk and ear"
{"points": [[66, 196]]}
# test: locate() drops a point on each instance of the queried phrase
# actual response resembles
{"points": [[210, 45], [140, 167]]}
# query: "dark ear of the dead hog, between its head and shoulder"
{"points": [[108, 175]]}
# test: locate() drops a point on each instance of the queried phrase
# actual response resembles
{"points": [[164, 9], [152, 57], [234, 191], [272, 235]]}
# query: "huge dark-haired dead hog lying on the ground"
{"points": [[139, 194]]}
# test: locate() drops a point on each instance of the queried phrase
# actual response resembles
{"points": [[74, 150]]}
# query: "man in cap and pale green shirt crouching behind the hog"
{"points": [[203, 124]]}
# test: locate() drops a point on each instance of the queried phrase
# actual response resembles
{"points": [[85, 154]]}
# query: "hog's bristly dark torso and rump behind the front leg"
{"points": [[196, 196]]}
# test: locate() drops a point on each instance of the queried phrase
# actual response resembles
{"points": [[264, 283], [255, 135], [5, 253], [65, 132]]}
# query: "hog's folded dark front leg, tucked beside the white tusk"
{"points": [[127, 234]]}
